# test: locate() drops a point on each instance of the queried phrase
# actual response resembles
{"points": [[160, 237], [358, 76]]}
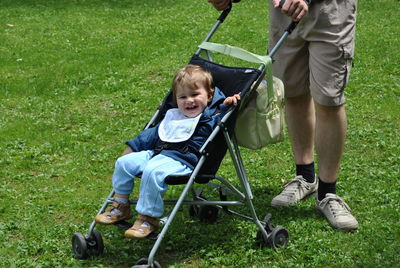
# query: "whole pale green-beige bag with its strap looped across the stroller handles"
{"points": [[261, 121]]}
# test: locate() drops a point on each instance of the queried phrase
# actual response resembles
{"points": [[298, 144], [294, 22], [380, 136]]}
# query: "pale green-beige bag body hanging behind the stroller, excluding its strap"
{"points": [[261, 122]]}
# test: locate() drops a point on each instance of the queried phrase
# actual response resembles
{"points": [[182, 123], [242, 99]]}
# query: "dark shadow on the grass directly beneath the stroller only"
{"points": [[186, 238]]}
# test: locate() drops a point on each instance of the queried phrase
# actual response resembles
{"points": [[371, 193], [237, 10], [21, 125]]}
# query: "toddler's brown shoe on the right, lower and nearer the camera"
{"points": [[143, 226]]}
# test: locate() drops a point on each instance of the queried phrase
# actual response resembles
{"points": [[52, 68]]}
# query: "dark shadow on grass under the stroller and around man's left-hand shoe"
{"points": [[189, 240]]}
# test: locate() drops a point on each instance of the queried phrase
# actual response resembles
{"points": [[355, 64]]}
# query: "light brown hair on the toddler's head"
{"points": [[192, 76]]}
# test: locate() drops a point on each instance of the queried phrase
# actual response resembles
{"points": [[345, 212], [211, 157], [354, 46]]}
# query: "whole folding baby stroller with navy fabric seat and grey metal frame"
{"points": [[230, 80]]}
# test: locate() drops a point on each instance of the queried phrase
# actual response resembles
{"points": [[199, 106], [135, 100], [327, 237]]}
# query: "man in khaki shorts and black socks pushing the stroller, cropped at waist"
{"points": [[314, 63]]}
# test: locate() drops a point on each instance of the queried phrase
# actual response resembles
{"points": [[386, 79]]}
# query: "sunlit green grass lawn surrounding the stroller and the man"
{"points": [[78, 78]]}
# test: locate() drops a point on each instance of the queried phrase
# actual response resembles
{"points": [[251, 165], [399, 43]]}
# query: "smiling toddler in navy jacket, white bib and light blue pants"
{"points": [[171, 147]]}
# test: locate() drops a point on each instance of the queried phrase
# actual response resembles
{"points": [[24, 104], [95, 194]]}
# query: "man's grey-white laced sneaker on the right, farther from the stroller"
{"points": [[337, 212]]}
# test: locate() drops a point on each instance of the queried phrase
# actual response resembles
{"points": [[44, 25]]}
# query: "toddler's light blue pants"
{"points": [[154, 170]]}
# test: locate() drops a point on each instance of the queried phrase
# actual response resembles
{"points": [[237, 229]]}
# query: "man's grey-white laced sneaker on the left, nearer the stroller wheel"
{"points": [[295, 190]]}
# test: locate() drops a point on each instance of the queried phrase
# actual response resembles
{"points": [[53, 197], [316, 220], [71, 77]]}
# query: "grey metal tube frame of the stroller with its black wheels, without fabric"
{"points": [[276, 237]]}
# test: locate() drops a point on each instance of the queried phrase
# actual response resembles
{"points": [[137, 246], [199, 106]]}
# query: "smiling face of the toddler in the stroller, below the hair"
{"points": [[192, 102]]}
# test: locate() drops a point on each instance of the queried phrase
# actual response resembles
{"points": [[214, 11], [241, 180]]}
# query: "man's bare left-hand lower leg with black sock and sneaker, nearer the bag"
{"points": [[300, 118]]}
